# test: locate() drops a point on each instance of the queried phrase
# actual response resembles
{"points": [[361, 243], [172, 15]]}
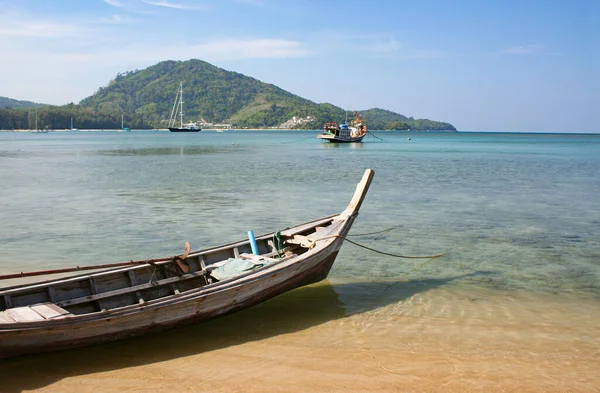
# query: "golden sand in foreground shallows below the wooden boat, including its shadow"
{"points": [[402, 338]]}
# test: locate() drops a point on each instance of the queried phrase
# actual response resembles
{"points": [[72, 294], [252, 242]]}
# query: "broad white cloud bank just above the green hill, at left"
{"points": [[72, 75]]}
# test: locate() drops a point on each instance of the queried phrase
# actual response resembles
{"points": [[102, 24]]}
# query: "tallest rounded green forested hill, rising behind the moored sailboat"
{"points": [[210, 93]]}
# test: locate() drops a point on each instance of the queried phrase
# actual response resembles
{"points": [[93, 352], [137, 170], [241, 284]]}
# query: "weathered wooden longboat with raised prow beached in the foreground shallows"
{"points": [[131, 298]]}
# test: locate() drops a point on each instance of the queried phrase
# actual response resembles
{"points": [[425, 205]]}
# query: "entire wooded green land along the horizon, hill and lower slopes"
{"points": [[213, 95]]}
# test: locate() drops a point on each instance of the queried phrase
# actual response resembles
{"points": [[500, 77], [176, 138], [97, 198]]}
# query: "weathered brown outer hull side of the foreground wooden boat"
{"points": [[182, 310]]}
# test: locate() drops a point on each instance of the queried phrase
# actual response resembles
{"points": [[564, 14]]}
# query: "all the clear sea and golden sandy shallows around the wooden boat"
{"points": [[515, 307]]}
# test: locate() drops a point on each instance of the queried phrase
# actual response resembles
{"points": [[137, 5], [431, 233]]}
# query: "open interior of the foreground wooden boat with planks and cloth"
{"points": [[145, 281]]}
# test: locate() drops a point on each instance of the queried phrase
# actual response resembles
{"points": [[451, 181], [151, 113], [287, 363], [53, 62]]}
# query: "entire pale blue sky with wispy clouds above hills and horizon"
{"points": [[481, 65]]}
